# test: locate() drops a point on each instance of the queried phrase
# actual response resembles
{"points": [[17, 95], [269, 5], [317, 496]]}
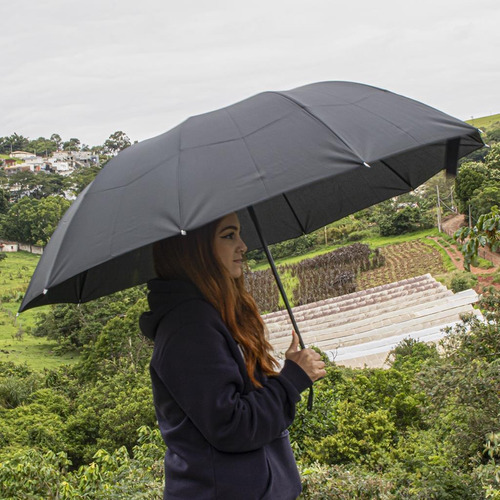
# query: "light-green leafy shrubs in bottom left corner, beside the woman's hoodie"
{"points": [[33, 474]]}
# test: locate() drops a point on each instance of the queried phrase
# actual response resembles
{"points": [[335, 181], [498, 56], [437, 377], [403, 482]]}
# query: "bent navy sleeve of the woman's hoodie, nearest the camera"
{"points": [[197, 367]]}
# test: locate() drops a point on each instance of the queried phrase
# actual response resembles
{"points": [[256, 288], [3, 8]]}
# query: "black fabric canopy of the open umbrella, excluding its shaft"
{"points": [[302, 158]]}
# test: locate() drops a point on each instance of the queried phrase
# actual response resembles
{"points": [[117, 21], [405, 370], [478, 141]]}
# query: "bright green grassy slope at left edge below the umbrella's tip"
{"points": [[16, 343]]}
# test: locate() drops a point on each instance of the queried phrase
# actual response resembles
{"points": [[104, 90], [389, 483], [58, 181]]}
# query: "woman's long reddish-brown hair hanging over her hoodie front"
{"points": [[192, 257]]}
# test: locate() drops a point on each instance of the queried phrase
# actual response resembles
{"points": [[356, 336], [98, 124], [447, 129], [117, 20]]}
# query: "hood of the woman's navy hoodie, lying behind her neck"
{"points": [[163, 297]]}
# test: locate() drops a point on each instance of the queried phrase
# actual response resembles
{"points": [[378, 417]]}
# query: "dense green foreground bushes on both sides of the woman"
{"points": [[427, 427]]}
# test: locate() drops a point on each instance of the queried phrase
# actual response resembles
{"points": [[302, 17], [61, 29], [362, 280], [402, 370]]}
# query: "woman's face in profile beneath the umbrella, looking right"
{"points": [[228, 245]]}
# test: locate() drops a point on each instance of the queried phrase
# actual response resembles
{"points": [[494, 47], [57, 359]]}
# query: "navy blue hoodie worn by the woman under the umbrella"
{"points": [[225, 439]]}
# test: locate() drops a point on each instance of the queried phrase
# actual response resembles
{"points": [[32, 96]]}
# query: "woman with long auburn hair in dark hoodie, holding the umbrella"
{"points": [[222, 408]]}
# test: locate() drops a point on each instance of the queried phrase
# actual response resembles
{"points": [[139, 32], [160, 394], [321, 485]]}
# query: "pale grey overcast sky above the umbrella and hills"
{"points": [[87, 68]]}
